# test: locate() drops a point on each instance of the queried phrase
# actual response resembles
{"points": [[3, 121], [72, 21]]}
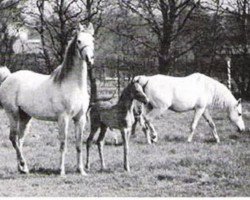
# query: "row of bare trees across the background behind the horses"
{"points": [[175, 37]]}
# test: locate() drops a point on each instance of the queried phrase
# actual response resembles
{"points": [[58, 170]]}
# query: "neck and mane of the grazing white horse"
{"points": [[221, 95]]}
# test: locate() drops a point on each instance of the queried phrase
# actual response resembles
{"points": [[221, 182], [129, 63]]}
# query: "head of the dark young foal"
{"points": [[136, 92]]}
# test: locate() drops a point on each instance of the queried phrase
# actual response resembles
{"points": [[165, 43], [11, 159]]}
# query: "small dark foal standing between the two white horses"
{"points": [[119, 116]]}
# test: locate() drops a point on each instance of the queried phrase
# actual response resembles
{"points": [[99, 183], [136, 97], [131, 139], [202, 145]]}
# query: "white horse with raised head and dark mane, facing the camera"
{"points": [[59, 97]]}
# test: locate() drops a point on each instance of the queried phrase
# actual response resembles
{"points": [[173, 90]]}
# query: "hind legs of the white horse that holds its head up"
{"points": [[17, 132]]}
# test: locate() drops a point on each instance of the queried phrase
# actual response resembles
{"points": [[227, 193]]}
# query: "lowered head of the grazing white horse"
{"points": [[235, 115]]}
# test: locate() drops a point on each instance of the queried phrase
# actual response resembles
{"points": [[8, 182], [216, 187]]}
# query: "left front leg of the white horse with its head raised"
{"points": [[63, 123]]}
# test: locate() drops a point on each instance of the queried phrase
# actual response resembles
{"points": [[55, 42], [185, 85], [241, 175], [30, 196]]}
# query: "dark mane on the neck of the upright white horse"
{"points": [[68, 62]]}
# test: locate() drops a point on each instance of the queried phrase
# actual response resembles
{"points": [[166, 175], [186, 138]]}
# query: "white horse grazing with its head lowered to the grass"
{"points": [[195, 92]]}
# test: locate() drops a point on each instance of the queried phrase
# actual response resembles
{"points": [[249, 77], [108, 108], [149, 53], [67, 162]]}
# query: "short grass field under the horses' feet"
{"points": [[172, 167]]}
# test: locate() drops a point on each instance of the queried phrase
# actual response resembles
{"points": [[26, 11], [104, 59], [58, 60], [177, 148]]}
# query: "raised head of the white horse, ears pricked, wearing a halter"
{"points": [[85, 42]]}
